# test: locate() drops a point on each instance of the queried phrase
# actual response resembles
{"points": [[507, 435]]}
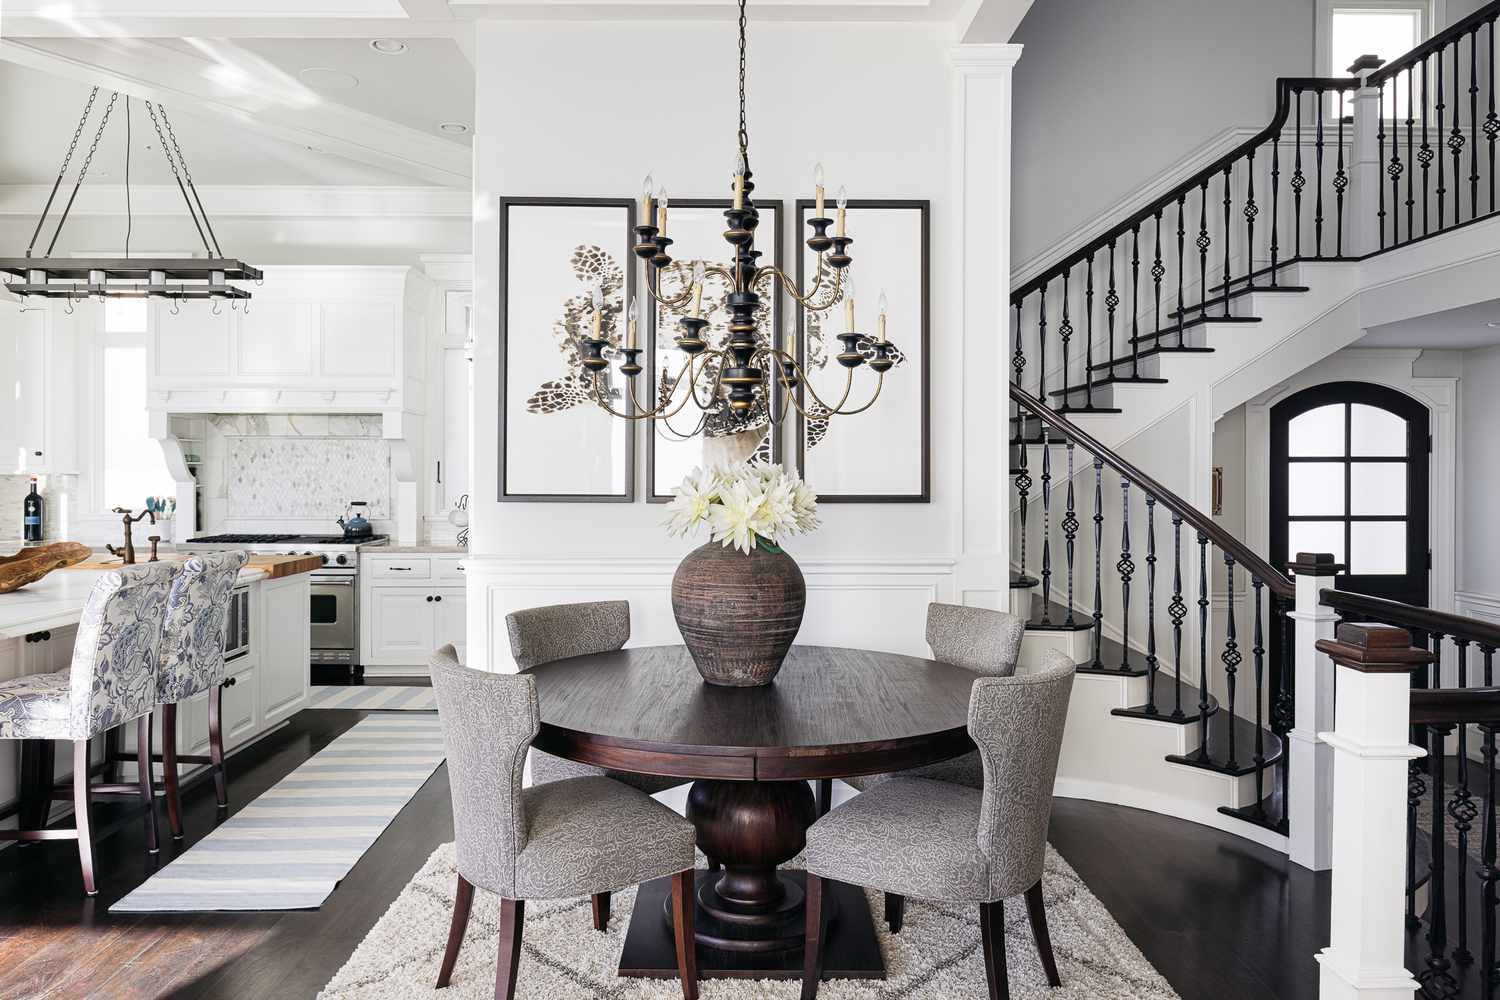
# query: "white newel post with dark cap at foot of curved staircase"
{"points": [[1312, 777]]}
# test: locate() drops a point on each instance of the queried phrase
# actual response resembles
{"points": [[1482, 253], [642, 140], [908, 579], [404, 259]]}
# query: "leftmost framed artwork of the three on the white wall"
{"points": [[557, 443]]}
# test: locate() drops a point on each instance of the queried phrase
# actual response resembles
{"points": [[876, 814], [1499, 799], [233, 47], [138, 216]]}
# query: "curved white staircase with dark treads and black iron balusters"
{"points": [[1130, 347]]}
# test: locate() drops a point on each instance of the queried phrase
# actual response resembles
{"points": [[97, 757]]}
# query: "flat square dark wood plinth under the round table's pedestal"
{"points": [[851, 950]]}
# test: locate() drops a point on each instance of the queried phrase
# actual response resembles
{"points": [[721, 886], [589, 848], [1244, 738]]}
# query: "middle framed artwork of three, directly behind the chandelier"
{"points": [[692, 439]]}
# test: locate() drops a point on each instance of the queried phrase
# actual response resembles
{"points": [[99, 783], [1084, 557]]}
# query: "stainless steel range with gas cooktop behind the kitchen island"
{"points": [[335, 606]]}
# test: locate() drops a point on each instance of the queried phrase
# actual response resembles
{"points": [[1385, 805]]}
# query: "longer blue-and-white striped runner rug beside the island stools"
{"points": [[290, 848]]}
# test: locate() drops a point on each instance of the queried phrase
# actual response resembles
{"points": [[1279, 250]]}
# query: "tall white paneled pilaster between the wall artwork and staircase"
{"points": [[983, 214]]}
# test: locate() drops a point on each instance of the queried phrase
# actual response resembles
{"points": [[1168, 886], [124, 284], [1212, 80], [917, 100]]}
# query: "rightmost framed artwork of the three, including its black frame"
{"points": [[883, 455]]}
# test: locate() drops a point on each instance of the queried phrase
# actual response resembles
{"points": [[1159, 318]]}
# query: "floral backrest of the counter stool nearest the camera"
{"points": [[116, 654]]}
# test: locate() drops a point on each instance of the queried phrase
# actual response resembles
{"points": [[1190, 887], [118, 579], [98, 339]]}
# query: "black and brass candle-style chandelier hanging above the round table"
{"points": [[734, 383]]}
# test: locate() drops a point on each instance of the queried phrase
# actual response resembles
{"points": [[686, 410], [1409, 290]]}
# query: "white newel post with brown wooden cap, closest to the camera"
{"points": [[1367, 914]]}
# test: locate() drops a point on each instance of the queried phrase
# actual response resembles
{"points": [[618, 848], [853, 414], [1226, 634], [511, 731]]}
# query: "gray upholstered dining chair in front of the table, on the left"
{"points": [[562, 839]]}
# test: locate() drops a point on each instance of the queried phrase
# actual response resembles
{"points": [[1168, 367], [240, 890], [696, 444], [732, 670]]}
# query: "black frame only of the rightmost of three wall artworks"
{"points": [[923, 496]]}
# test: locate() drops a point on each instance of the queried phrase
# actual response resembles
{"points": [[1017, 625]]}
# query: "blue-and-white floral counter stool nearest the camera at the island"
{"points": [[110, 683]]}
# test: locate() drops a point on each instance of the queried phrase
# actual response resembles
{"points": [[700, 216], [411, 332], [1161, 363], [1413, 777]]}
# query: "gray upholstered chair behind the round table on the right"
{"points": [[976, 639]]}
